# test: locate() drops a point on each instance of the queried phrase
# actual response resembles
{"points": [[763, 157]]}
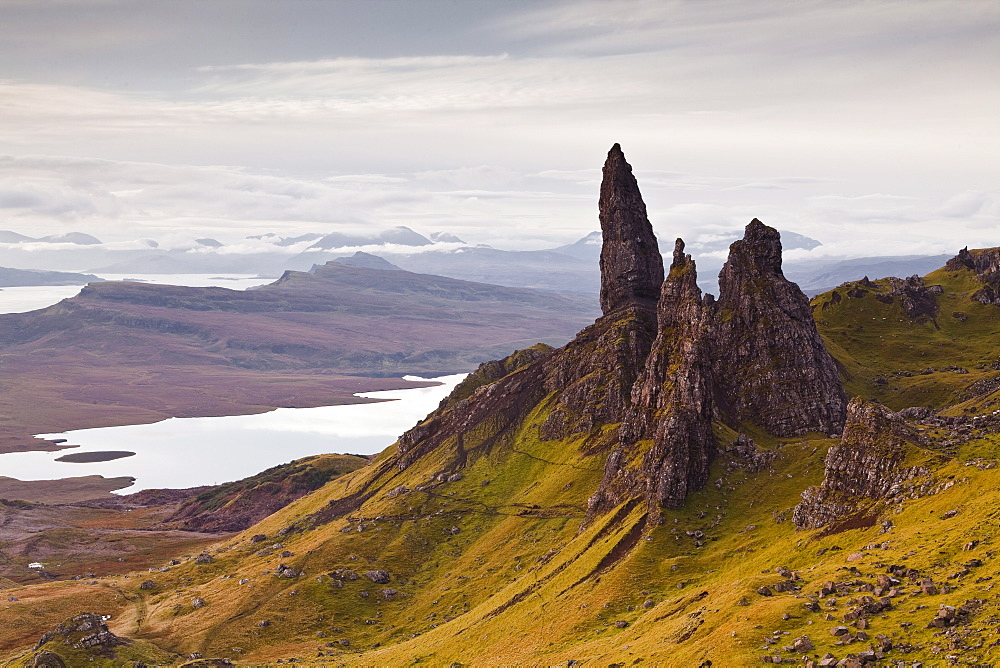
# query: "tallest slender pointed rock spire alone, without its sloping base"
{"points": [[631, 265]]}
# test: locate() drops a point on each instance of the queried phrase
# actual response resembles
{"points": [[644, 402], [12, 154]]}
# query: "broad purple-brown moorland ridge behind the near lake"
{"points": [[144, 352]]}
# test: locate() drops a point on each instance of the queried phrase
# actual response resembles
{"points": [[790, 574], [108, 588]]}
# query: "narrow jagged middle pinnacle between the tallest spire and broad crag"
{"points": [[672, 403]]}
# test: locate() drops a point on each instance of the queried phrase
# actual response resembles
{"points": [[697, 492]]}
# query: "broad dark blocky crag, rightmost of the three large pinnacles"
{"points": [[771, 366]]}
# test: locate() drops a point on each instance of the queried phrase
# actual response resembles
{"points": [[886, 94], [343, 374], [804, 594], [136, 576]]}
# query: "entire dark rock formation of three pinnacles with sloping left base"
{"points": [[658, 367]]}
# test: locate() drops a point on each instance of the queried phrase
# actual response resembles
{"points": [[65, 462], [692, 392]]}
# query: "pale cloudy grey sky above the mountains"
{"points": [[870, 126]]}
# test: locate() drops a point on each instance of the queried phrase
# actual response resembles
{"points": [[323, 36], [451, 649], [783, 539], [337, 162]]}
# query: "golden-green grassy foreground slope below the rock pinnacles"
{"points": [[520, 582]]}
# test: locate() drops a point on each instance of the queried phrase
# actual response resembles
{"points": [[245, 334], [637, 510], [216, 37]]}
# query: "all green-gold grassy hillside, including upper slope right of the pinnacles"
{"points": [[480, 551]]}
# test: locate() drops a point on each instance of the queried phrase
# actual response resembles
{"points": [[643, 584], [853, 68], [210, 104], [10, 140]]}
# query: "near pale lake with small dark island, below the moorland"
{"points": [[189, 452]]}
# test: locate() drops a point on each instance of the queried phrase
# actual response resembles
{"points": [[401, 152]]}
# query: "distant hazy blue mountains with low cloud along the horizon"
{"points": [[571, 268]]}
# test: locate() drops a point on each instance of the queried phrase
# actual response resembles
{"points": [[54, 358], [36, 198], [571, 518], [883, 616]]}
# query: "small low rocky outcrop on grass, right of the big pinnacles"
{"points": [[866, 466]]}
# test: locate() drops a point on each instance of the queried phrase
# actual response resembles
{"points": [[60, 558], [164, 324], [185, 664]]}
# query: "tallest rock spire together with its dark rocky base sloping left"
{"points": [[590, 379]]}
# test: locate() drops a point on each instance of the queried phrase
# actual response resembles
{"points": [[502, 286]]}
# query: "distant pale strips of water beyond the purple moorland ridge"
{"points": [[32, 297]]}
